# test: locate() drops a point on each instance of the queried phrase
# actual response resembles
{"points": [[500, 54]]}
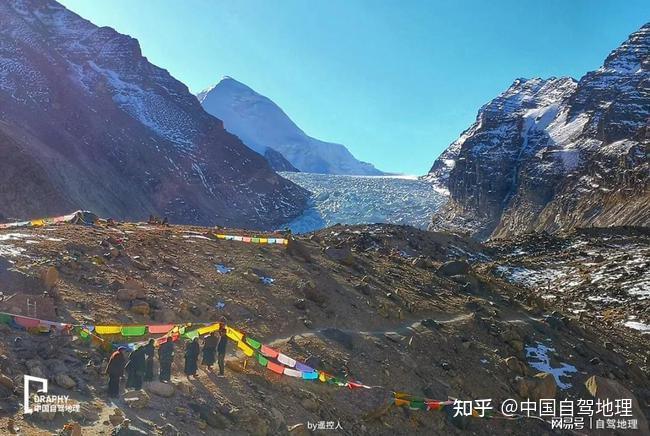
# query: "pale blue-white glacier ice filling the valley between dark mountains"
{"points": [[364, 200]]}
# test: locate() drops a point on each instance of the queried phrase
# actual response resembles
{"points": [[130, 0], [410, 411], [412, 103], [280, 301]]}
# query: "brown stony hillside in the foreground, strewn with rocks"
{"points": [[432, 314]]}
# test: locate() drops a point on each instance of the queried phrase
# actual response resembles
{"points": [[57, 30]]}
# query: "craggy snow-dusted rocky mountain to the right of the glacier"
{"points": [[555, 154]]}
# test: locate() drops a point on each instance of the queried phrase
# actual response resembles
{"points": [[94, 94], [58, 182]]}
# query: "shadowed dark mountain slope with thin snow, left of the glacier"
{"points": [[87, 122]]}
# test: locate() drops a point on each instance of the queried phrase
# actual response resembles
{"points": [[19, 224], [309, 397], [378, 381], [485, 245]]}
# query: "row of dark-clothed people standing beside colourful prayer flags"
{"points": [[139, 364]]}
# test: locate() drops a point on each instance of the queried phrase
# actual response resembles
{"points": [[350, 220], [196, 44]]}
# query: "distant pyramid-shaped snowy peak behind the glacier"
{"points": [[262, 125]]}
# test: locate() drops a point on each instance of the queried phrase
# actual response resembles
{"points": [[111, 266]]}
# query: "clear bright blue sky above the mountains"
{"points": [[395, 81]]}
